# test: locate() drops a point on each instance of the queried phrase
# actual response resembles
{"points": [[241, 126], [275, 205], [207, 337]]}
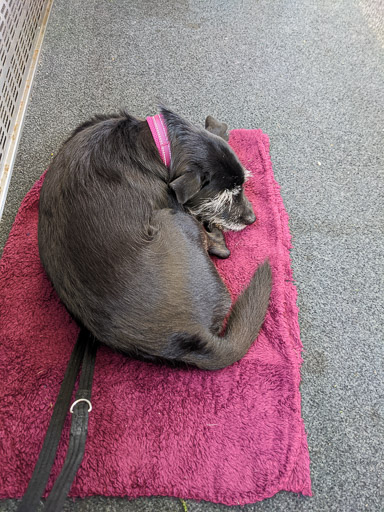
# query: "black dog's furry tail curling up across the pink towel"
{"points": [[210, 352]]}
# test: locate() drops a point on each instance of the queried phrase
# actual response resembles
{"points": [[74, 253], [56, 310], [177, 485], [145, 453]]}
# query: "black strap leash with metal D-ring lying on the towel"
{"points": [[83, 354]]}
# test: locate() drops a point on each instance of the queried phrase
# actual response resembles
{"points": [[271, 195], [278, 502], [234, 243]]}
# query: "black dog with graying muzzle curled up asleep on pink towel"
{"points": [[125, 240]]}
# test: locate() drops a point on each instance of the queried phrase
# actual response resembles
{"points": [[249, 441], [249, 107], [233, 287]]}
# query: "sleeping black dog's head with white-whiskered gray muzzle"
{"points": [[206, 175]]}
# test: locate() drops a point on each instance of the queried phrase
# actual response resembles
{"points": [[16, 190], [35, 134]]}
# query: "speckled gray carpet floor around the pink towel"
{"points": [[310, 73]]}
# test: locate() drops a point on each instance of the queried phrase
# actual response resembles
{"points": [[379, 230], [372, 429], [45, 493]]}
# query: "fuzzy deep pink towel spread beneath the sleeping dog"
{"points": [[232, 436]]}
